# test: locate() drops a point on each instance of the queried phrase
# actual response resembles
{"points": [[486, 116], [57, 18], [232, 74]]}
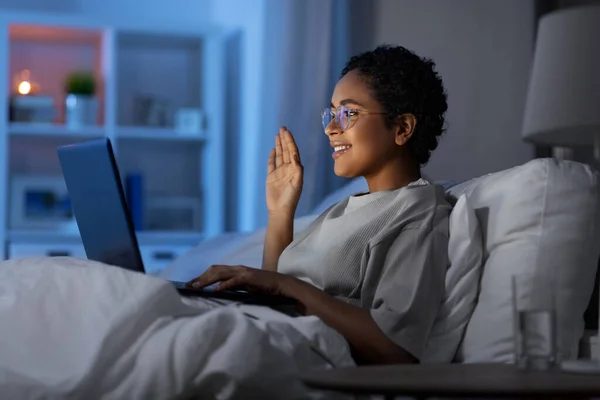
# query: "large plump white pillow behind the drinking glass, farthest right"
{"points": [[540, 218]]}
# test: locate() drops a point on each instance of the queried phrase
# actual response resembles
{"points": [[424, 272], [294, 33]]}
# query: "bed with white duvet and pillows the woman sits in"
{"points": [[73, 328]]}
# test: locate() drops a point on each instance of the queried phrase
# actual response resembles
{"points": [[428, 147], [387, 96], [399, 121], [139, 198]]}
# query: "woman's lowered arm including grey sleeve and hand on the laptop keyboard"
{"points": [[405, 301]]}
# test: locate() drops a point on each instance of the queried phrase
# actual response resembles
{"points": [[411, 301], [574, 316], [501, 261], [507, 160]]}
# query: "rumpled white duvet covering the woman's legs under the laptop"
{"points": [[77, 329]]}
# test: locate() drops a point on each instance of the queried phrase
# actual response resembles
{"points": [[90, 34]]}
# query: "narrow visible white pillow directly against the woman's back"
{"points": [[465, 252]]}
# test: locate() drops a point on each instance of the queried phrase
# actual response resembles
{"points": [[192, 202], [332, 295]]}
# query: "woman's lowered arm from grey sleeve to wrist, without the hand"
{"points": [[404, 297]]}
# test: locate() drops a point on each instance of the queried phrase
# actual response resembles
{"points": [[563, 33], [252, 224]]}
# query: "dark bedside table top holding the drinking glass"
{"points": [[454, 380]]}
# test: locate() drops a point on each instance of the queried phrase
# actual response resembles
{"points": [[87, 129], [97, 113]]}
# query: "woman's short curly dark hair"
{"points": [[406, 83]]}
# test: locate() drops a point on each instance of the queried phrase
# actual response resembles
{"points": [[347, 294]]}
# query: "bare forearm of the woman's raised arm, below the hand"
{"points": [[280, 232]]}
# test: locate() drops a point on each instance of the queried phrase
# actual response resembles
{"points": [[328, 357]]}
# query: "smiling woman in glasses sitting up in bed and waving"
{"points": [[372, 266]]}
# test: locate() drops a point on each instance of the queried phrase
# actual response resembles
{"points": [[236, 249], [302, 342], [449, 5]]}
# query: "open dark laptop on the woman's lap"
{"points": [[105, 223]]}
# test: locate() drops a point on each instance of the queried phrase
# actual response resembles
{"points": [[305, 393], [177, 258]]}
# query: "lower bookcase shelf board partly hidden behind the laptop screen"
{"points": [[144, 237]]}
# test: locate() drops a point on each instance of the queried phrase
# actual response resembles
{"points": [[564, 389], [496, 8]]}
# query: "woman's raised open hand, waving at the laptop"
{"points": [[285, 176]]}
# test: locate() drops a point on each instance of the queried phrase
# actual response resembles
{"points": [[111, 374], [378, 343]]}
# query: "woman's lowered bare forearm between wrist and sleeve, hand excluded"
{"points": [[369, 345]]}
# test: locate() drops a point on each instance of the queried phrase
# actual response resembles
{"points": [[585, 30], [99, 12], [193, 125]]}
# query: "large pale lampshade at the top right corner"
{"points": [[563, 99]]}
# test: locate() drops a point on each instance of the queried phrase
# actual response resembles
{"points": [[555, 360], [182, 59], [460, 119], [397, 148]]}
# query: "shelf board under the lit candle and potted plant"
{"points": [[54, 130]]}
